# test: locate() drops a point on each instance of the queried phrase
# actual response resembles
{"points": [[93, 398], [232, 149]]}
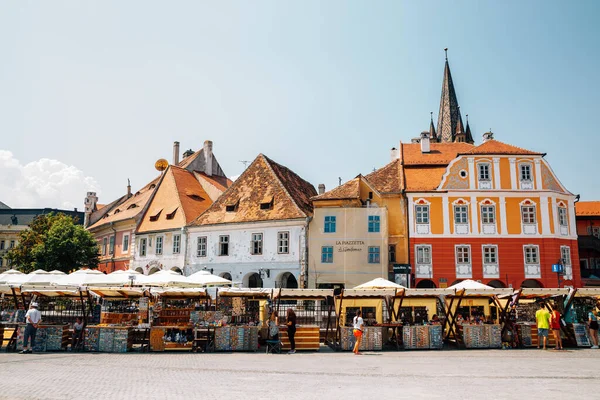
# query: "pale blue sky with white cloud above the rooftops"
{"points": [[93, 93]]}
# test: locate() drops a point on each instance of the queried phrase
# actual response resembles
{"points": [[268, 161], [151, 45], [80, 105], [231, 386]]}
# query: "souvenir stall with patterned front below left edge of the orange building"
{"points": [[415, 309]]}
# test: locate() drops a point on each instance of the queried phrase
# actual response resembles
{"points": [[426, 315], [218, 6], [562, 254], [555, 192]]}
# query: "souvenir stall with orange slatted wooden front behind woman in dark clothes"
{"points": [[314, 311]]}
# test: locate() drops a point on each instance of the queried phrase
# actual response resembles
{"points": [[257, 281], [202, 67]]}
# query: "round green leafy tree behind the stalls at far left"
{"points": [[54, 241]]}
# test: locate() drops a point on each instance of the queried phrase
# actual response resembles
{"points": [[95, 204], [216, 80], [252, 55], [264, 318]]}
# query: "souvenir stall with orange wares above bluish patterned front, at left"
{"points": [[122, 323]]}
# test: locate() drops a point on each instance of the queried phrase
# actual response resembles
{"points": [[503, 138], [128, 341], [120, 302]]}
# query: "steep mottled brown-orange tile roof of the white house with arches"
{"points": [[263, 182]]}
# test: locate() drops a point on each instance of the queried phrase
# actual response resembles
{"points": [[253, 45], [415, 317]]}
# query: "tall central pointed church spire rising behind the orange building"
{"points": [[449, 114]]}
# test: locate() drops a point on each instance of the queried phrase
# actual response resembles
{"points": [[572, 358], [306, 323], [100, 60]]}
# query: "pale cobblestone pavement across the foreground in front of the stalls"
{"points": [[472, 374]]}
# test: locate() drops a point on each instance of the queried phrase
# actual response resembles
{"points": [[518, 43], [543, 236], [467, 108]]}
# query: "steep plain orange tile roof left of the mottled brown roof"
{"points": [[179, 199]]}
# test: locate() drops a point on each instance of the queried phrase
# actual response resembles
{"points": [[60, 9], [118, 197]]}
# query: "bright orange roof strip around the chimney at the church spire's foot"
{"points": [[440, 154]]}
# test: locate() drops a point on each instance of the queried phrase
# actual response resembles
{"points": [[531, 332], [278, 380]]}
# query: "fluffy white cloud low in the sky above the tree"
{"points": [[43, 183]]}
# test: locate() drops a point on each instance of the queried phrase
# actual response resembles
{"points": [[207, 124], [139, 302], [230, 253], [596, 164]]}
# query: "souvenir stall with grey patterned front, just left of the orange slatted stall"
{"points": [[241, 313]]}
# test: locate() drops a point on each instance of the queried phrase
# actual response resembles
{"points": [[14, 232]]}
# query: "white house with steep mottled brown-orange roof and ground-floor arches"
{"points": [[255, 233]]}
